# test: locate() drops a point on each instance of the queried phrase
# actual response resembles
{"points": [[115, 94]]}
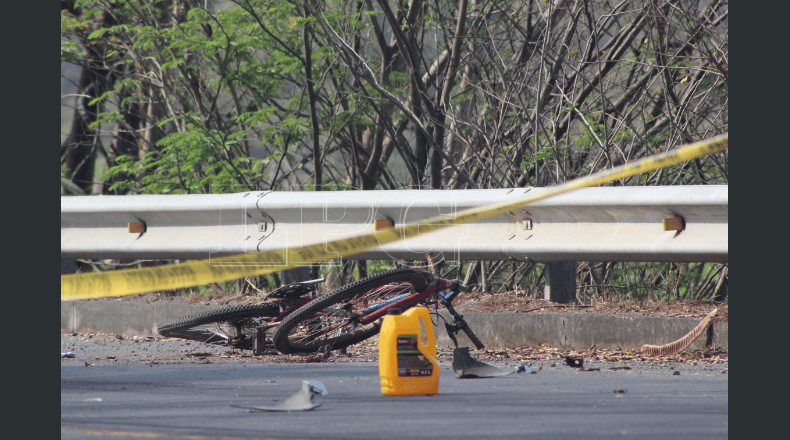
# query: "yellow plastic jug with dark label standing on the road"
{"points": [[407, 353]]}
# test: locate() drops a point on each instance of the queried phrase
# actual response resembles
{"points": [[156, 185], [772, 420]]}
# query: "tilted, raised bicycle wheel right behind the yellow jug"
{"points": [[333, 320]]}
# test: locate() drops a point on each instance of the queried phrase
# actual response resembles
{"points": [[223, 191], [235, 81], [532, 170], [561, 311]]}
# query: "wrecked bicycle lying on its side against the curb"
{"points": [[333, 321]]}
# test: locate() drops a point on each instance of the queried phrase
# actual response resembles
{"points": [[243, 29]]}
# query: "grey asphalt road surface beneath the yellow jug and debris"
{"points": [[132, 397]]}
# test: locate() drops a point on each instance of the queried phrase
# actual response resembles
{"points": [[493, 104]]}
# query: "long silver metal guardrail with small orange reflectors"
{"points": [[591, 224]]}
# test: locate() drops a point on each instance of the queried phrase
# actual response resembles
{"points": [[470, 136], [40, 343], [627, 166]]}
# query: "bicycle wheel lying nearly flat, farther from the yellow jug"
{"points": [[232, 326]]}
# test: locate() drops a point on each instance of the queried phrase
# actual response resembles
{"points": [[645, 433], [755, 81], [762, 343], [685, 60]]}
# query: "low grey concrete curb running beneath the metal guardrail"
{"points": [[576, 331]]}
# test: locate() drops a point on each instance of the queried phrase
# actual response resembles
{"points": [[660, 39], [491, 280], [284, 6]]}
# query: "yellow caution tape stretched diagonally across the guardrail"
{"points": [[194, 273]]}
